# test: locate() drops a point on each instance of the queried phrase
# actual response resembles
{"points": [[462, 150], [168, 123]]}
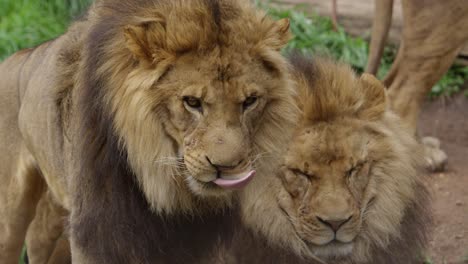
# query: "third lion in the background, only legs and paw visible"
{"points": [[428, 48]]}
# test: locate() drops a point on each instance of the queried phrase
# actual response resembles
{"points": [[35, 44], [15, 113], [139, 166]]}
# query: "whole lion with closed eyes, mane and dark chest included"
{"points": [[349, 186]]}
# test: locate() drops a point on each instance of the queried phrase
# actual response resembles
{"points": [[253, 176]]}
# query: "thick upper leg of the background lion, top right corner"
{"points": [[427, 50]]}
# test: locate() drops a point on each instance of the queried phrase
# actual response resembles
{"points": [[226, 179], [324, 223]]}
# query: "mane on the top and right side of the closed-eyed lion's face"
{"points": [[395, 225]]}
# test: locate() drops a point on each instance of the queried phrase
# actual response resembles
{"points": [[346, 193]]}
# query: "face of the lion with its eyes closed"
{"points": [[326, 175]]}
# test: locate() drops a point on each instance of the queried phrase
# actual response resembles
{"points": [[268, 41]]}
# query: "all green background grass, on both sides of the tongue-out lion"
{"points": [[27, 23]]}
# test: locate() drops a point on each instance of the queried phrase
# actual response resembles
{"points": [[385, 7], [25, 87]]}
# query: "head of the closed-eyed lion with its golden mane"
{"points": [[351, 171]]}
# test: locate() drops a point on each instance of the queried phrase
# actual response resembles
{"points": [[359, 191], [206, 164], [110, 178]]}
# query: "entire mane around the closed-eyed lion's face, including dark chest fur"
{"points": [[396, 224]]}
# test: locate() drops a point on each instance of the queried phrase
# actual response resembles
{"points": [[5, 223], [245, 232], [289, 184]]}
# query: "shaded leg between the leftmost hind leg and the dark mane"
{"points": [[45, 231]]}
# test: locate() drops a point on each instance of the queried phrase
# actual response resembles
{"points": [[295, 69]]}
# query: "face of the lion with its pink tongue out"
{"points": [[214, 111]]}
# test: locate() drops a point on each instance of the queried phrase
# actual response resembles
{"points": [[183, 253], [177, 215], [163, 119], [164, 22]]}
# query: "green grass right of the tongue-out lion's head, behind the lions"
{"points": [[315, 35]]}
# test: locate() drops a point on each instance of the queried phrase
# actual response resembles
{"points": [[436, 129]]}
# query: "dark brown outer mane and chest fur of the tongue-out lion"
{"points": [[108, 203]]}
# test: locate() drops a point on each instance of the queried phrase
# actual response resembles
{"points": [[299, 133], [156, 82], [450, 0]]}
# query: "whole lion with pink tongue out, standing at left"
{"points": [[143, 121]]}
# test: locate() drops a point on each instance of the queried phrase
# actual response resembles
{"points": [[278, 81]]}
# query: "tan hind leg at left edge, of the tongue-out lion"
{"points": [[20, 199]]}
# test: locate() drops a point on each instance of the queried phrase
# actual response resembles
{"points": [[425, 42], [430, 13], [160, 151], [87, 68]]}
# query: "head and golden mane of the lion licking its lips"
{"points": [[195, 89]]}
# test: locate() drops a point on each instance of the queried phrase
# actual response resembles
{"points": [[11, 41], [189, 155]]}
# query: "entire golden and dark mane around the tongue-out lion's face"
{"points": [[118, 139]]}
